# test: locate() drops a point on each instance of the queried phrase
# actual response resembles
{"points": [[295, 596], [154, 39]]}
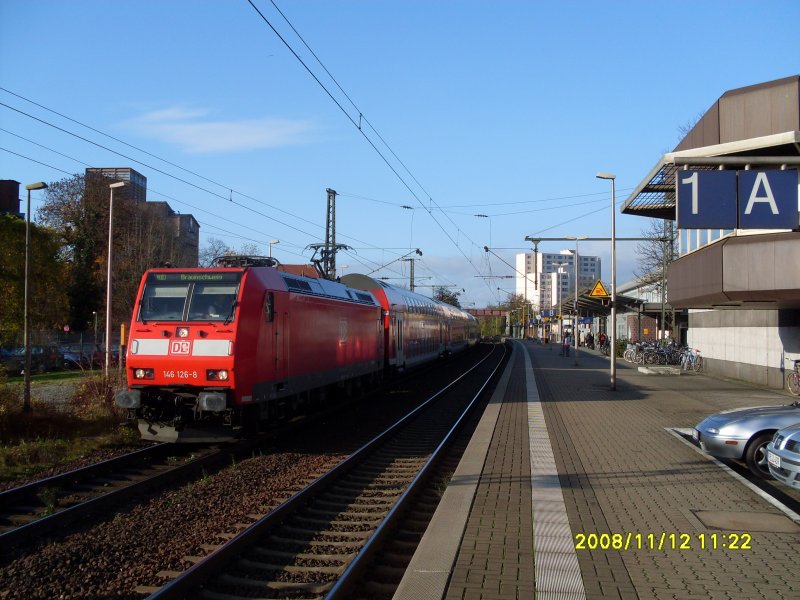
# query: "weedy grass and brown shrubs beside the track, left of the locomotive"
{"points": [[48, 435]]}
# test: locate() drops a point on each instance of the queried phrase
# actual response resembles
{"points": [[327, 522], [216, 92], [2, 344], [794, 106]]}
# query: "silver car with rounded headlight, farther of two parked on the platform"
{"points": [[743, 433]]}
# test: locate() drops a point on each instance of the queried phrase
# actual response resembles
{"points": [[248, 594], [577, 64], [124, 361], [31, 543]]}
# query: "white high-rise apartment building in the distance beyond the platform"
{"points": [[550, 277]]}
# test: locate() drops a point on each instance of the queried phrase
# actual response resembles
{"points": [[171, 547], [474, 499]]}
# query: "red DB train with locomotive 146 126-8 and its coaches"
{"points": [[214, 352]]}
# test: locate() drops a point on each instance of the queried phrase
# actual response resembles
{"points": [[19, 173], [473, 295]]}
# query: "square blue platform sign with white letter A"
{"points": [[768, 200]]}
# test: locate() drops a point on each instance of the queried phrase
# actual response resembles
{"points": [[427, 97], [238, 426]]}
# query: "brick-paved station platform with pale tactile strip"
{"points": [[558, 456]]}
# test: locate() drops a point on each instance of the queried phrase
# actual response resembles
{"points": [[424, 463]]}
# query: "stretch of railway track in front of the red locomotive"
{"points": [[42, 507]]}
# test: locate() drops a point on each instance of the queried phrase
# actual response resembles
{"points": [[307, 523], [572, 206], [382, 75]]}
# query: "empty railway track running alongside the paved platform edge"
{"points": [[319, 542]]}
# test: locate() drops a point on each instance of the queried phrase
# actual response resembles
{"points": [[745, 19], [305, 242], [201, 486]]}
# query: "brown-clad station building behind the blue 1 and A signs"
{"points": [[737, 277]]}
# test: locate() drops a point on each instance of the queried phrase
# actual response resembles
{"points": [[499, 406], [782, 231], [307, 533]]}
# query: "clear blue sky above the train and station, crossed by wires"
{"points": [[501, 108]]}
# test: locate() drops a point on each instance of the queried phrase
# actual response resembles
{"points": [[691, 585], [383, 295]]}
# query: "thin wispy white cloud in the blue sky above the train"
{"points": [[193, 131]]}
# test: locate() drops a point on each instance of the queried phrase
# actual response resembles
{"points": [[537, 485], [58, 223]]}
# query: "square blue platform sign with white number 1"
{"points": [[706, 199]]}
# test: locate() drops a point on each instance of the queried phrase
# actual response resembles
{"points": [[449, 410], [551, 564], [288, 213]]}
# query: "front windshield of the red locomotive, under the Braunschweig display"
{"points": [[189, 297]]}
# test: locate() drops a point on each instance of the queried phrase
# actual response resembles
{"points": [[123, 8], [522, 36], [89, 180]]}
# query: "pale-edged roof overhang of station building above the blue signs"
{"points": [[655, 195]]}
